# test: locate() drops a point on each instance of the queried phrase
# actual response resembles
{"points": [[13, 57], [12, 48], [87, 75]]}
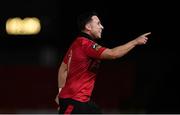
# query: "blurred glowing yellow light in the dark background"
{"points": [[26, 26]]}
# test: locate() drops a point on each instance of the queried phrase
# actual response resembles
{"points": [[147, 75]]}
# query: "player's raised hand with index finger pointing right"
{"points": [[142, 39]]}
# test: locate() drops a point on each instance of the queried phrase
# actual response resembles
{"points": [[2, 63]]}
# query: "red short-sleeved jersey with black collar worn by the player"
{"points": [[82, 59]]}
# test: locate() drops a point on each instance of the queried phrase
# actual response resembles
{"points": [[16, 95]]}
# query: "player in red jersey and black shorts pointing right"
{"points": [[77, 73]]}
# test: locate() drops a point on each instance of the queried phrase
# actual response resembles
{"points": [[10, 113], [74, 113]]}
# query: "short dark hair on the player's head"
{"points": [[84, 18]]}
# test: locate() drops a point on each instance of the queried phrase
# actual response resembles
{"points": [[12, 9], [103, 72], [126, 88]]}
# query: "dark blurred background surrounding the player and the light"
{"points": [[146, 80]]}
